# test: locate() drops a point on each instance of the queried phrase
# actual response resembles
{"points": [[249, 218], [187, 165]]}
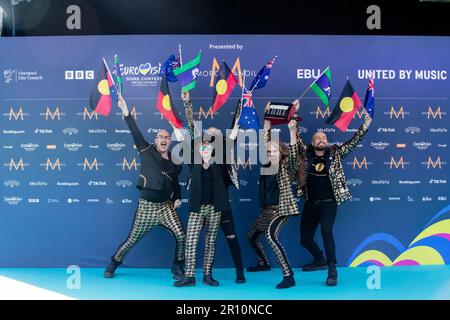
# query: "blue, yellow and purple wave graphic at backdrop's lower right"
{"points": [[430, 247]]}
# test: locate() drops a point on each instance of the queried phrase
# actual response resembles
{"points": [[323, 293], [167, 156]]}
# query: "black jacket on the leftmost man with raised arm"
{"points": [[153, 175]]}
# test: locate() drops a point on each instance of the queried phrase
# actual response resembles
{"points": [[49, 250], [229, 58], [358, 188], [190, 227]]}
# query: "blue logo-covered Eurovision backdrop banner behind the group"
{"points": [[68, 175]]}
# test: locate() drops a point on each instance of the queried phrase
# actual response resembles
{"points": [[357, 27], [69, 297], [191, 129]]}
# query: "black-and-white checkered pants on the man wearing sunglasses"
{"points": [[211, 220]]}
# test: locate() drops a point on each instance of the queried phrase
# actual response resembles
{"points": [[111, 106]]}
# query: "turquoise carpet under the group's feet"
{"points": [[421, 282]]}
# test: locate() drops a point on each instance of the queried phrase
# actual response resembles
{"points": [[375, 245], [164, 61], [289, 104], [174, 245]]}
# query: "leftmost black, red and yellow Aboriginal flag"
{"points": [[104, 92]]}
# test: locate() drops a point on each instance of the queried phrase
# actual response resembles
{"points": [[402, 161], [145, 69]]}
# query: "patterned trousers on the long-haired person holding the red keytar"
{"points": [[269, 222]]}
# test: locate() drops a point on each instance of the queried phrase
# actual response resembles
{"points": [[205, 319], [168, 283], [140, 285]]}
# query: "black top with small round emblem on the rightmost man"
{"points": [[318, 183]]}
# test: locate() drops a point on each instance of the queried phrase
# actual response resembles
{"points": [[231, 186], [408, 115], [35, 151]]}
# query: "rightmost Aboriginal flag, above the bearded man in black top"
{"points": [[346, 107]]}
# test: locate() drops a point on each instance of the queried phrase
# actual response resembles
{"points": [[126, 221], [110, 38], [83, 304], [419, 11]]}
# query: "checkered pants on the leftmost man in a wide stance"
{"points": [[149, 215]]}
